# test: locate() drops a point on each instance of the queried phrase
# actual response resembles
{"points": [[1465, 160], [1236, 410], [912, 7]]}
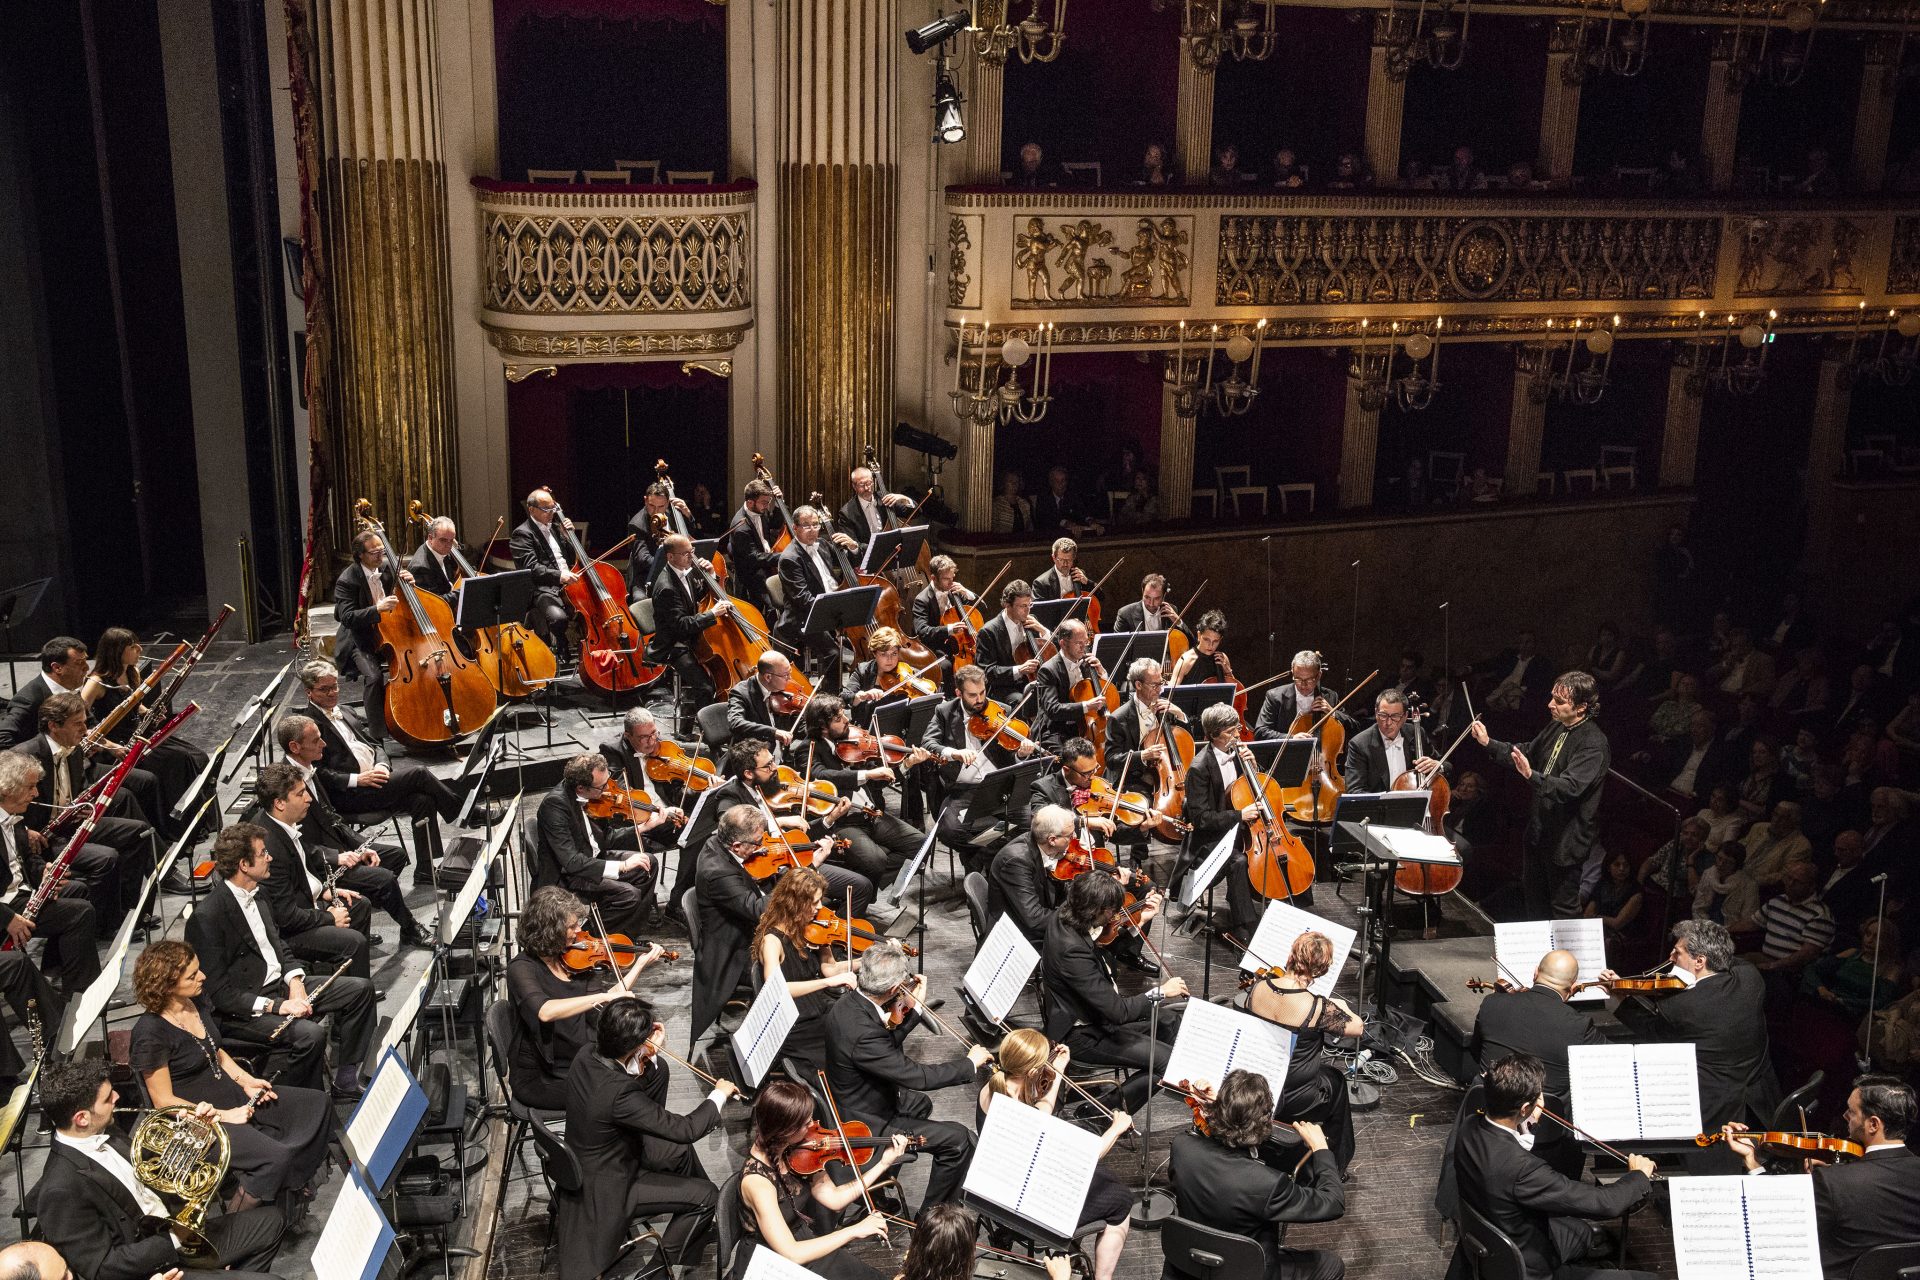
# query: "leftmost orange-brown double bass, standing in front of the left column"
{"points": [[435, 694]]}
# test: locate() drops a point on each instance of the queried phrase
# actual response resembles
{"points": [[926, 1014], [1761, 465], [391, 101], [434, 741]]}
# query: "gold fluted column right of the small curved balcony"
{"points": [[838, 204]]}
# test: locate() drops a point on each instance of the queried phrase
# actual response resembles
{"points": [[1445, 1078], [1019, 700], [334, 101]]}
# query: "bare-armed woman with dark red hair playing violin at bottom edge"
{"points": [[792, 1214]]}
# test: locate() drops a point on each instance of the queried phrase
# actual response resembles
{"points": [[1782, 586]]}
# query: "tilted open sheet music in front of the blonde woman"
{"points": [[1034, 1166]]}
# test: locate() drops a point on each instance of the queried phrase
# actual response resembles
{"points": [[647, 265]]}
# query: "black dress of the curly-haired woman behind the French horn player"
{"points": [[283, 1149]]}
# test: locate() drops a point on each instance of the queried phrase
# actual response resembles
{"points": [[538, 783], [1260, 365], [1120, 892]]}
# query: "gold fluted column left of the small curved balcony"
{"points": [[383, 202]]}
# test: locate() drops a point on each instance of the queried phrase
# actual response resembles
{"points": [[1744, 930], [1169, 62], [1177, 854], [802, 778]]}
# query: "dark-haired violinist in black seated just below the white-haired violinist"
{"points": [[1084, 1007]]}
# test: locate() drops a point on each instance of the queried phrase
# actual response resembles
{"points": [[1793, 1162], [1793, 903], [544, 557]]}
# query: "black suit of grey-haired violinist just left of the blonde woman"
{"points": [[876, 1083]]}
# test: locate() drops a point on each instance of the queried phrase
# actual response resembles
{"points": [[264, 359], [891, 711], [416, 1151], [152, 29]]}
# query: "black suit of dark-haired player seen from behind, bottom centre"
{"points": [[1253, 1195]]}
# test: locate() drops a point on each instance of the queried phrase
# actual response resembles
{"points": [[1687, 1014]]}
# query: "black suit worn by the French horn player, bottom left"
{"points": [[103, 1231]]}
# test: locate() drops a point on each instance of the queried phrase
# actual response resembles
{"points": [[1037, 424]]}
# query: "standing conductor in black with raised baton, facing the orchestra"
{"points": [[1566, 769]]}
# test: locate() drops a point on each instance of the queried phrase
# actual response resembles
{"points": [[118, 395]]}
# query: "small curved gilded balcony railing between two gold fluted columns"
{"points": [[617, 273]]}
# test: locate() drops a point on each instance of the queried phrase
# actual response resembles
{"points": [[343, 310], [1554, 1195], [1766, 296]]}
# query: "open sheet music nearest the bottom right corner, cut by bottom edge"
{"points": [[1754, 1229]]}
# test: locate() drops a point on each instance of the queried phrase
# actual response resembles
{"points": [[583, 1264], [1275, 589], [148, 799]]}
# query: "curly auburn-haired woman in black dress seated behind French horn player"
{"points": [[277, 1135]]}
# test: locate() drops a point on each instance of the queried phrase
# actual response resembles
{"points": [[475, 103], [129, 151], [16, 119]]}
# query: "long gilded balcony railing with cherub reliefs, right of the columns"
{"points": [[1120, 270]]}
